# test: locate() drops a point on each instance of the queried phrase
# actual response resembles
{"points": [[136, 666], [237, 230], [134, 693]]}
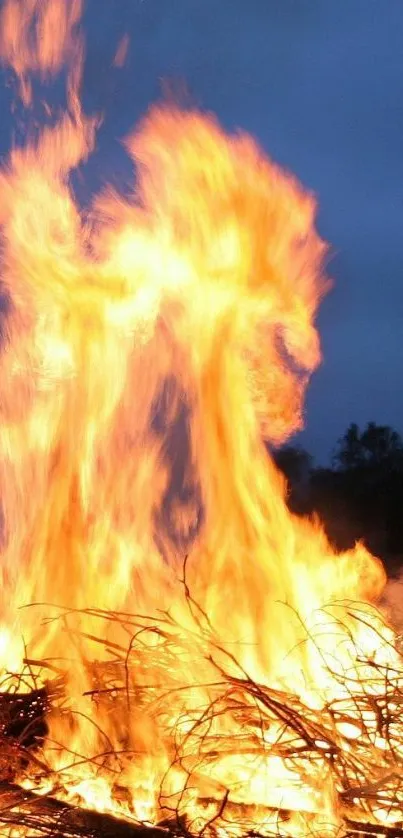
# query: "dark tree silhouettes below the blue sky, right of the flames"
{"points": [[360, 497]]}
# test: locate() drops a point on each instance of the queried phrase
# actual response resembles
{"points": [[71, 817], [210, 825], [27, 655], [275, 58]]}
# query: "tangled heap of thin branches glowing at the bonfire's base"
{"points": [[178, 720]]}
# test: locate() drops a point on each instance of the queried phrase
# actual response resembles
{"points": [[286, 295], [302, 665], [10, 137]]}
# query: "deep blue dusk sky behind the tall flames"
{"points": [[320, 84]]}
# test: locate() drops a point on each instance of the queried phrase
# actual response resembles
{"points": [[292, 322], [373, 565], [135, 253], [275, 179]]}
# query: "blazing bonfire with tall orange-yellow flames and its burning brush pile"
{"points": [[251, 686]]}
